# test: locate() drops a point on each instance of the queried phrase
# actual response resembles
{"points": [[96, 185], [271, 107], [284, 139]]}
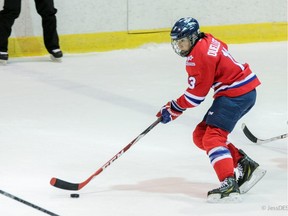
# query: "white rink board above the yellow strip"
{"points": [[94, 16]]}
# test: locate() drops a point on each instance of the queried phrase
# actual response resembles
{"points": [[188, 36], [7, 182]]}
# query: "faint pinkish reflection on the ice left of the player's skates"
{"points": [[170, 185]]}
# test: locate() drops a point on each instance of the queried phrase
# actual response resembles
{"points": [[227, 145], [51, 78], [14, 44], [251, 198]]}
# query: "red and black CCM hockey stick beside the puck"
{"points": [[77, 186]]}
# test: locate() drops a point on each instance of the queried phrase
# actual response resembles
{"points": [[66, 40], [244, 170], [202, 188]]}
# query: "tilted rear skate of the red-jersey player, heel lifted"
{"points": [[249, 173]]}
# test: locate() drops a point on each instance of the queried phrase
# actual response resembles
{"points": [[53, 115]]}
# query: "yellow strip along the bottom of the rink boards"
{"points": [[107, 41]]}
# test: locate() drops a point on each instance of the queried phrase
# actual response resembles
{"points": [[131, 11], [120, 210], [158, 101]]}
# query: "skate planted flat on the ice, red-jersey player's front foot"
{"points": [[227, 192]]}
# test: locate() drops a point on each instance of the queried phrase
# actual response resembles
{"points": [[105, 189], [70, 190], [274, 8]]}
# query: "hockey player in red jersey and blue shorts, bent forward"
{"points": [[210, 65]]}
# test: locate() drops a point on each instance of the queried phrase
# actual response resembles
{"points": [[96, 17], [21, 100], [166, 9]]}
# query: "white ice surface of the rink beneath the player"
{"points": [[67, 119]]}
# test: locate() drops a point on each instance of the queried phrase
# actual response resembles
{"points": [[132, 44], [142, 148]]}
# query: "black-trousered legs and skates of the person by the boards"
{"points": [[46, 10]]}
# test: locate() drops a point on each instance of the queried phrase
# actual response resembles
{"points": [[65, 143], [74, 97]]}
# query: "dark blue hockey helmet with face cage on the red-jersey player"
{"points": [[184, 28]]}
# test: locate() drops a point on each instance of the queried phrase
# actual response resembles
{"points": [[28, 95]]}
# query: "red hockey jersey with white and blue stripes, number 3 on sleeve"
{"points": [[210, 65]]}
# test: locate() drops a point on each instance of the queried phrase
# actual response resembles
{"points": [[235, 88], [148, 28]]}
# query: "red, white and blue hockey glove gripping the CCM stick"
{"points": [[170, 111]]}
